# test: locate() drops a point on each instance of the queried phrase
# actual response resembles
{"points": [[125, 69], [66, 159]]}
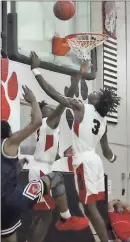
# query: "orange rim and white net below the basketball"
{"points": [[82, 43]]}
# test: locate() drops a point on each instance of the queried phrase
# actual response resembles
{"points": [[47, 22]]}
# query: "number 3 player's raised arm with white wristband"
{"points": [[66, 101]]}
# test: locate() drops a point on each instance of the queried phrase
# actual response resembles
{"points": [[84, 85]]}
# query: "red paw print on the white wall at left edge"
{"points": [[9, 89]]}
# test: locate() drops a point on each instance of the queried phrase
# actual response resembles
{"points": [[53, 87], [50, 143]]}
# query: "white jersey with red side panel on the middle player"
{"points": [[47, 143]]}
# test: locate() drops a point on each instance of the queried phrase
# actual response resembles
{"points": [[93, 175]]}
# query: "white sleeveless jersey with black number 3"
{"points": [[87, 134]]}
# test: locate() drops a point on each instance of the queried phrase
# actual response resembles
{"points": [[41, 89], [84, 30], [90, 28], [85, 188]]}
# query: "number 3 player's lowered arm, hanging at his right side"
{"points": [[106, 150]]}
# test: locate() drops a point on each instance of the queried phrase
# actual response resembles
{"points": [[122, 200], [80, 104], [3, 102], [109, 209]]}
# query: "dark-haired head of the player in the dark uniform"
{"points": [[5, 129]]}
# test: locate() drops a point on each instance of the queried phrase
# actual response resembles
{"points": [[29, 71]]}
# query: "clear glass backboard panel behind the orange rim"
{"points": [[36, 27]]}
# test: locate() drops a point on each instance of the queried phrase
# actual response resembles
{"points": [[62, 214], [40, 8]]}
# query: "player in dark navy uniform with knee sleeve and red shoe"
{"points": [[16, 199]]}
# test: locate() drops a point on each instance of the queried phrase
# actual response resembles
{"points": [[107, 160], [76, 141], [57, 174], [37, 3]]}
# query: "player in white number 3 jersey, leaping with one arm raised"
{"points": [[89, 128]]}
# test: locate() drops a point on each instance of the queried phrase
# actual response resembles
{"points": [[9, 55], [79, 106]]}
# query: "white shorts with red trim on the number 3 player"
{"points": [[89, 179]]}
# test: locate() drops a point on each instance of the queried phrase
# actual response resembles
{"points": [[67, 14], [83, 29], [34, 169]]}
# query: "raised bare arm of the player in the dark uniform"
{"points": [[12, 143]]}
